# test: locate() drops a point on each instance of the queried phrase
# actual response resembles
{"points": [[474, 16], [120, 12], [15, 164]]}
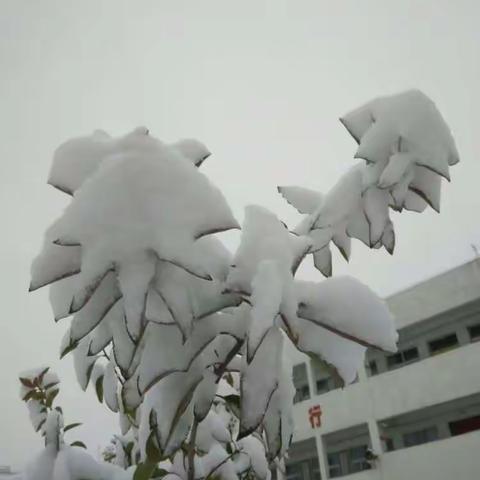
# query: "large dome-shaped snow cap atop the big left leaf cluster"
{"points": [[119, 212]]}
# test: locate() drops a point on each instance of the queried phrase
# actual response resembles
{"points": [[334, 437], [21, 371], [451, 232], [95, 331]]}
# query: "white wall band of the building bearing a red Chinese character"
{"points": [[431, 381]]}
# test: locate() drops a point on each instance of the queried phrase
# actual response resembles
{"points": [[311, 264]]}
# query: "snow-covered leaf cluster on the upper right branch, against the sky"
{"points": [[406, 148]]}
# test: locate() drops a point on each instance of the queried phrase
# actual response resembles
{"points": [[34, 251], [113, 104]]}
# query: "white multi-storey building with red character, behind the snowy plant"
{"points": [[417, 411]]}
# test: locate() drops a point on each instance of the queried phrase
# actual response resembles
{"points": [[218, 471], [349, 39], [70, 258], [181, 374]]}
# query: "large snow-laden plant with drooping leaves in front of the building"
{"points": [[163, 314]]}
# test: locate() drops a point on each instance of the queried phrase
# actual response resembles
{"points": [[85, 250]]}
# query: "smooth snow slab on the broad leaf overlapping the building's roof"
{"points": [[347, 307]]}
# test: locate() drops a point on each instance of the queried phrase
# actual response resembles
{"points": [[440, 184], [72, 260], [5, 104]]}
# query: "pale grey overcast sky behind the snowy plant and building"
{"points": [[262, 83]]}
